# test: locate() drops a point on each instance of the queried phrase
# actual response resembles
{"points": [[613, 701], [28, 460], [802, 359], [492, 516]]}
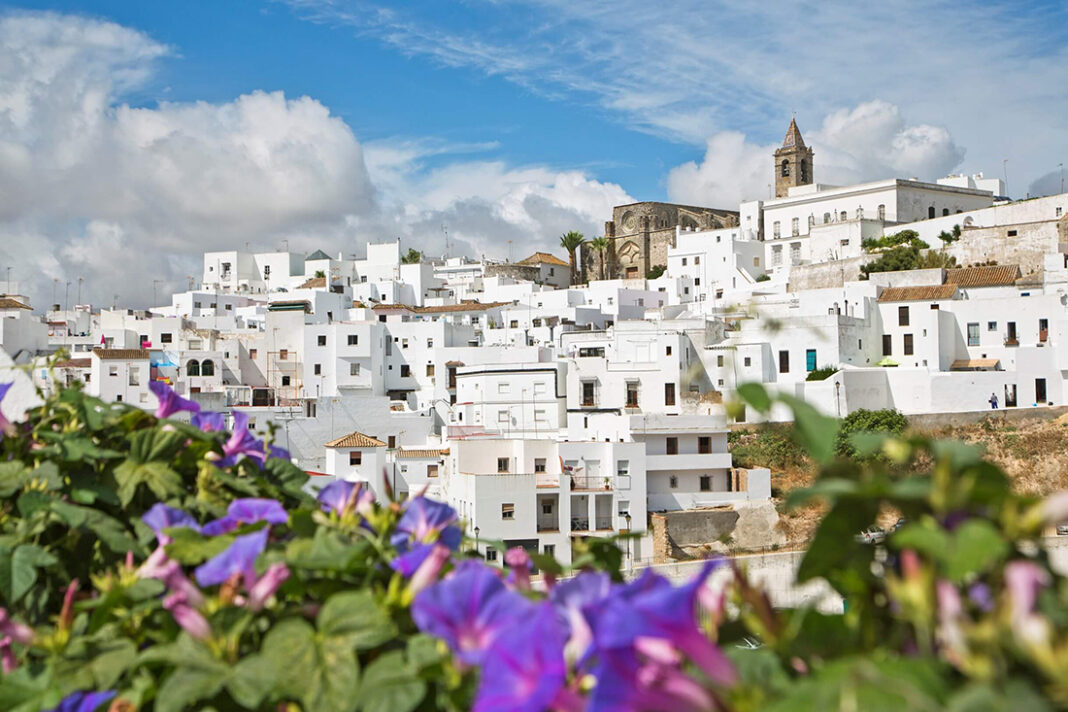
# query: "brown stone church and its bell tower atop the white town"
{"points": [[640, 234]]}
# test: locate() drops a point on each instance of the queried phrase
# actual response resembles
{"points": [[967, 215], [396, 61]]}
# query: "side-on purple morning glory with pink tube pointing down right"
{"points": [[649, 609]]}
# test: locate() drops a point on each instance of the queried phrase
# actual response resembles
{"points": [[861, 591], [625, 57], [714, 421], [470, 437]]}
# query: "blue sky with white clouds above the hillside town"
{"points": [[154, 131]]}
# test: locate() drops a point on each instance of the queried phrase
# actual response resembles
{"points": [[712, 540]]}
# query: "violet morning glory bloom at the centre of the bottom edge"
{"points": [[527, 677]]}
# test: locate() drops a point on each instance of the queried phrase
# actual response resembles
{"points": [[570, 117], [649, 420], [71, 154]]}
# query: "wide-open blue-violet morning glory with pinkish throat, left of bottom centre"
{"points": [[469, 610]]}
